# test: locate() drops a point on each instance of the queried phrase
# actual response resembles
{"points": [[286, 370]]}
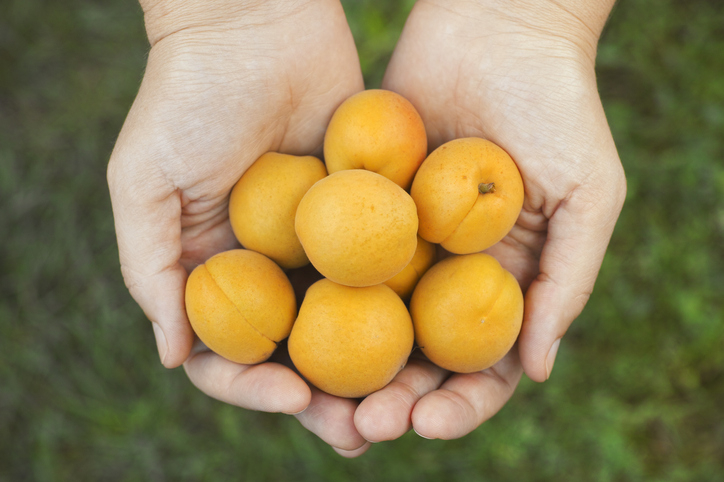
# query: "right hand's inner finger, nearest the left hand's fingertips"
{"points": [[387, 413]]}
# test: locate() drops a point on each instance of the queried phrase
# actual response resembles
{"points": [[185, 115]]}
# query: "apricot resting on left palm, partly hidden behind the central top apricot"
{"points": [[264, 202]]}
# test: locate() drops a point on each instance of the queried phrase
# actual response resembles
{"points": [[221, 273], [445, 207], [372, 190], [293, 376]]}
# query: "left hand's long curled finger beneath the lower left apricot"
{"points": [[267, 387]]}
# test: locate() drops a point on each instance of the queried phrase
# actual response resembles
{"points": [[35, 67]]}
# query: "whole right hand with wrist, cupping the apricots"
{"points": [[522, 76]]}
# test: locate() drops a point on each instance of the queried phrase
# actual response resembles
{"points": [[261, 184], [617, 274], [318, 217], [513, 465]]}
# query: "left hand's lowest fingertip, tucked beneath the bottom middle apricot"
{"points": [[332, 419]]}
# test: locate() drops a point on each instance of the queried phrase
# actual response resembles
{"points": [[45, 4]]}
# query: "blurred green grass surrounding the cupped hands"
{"points": [[638, 385]]}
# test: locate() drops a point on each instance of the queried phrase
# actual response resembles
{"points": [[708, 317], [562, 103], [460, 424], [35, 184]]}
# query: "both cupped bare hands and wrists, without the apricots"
{"points": [[225, 85]]}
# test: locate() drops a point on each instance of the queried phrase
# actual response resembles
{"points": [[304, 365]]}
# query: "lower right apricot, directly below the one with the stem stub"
{"points": [[467, 311]]}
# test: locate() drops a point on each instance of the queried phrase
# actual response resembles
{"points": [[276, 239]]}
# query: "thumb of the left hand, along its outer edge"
{"points": [[147, 215]]}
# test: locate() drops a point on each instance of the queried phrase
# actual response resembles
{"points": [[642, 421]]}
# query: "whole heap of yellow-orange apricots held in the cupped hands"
{"points": [[369, 219]]}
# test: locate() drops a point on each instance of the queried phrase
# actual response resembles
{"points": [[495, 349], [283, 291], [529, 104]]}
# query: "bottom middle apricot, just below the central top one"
{"points": [[350, 342]]}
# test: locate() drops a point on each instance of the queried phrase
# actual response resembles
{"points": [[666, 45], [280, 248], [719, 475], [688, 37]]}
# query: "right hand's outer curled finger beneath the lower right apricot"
{"points": [[465, 401]]}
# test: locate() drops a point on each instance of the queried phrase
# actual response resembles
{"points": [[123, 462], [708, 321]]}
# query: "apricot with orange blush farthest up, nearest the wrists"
{"points": [[376, 130]]}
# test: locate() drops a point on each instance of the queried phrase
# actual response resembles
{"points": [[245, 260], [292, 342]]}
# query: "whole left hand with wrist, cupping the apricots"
{"points": [[223, 85]]}
